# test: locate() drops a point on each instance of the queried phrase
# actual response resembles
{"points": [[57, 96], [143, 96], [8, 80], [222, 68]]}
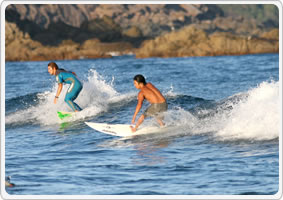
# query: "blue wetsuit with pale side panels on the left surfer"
{"points": [[75, 88]]}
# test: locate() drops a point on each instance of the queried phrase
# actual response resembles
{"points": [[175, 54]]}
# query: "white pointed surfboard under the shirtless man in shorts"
{"points": [[122, 130]]}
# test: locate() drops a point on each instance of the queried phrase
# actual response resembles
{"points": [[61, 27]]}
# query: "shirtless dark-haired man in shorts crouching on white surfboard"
{"points": [[153, 96]]}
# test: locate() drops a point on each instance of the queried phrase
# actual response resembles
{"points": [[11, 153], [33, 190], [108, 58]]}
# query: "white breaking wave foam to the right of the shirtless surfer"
{"points": [[251, 115]]}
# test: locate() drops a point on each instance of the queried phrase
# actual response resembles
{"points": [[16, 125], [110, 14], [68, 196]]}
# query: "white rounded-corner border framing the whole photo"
{"points": [[5, 195]]}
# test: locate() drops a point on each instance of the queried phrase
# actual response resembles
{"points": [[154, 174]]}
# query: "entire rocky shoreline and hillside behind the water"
{"points": [[69, 31]]}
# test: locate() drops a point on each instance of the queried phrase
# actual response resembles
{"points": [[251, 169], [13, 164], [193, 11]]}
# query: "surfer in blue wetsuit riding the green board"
{"points": [[63, 76]]}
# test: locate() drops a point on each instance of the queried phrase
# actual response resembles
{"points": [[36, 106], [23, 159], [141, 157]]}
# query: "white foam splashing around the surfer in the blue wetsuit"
{"points": [[94, 98]]}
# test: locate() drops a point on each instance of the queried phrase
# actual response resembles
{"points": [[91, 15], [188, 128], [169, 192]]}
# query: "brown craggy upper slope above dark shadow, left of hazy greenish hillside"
{"points": [[151, 19]]}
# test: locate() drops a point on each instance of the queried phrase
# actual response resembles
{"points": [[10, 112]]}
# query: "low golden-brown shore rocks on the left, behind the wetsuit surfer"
{"points": [[20, 47]]}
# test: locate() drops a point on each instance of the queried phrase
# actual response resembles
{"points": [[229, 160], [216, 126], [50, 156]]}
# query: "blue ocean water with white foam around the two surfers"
{"points": [[225, 111]]}
